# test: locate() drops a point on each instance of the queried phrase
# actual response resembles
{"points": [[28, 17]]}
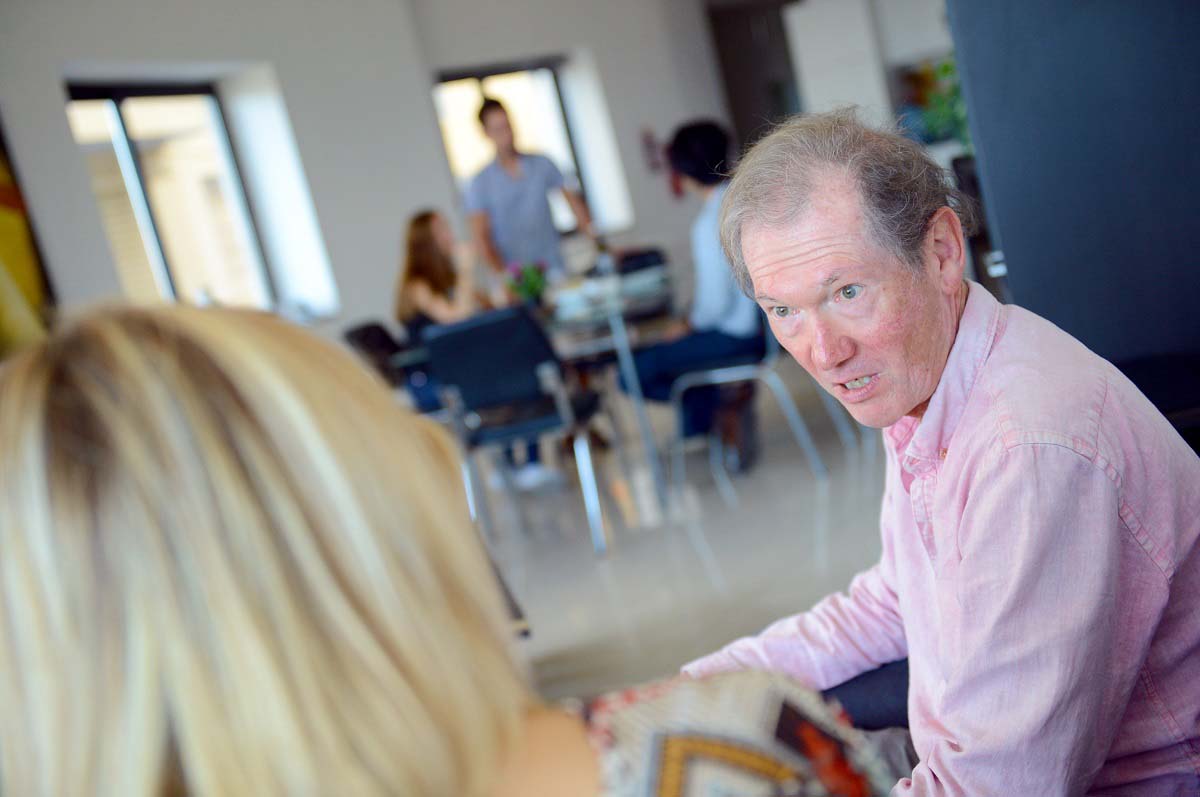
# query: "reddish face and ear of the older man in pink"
{"points": [[871, 329]]}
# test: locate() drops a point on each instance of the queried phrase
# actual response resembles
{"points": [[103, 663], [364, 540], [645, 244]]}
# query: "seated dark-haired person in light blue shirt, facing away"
{"points": [[724, 326]]}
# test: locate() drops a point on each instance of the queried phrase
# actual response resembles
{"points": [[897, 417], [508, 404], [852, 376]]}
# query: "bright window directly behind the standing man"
{"points": [[532, 95]]}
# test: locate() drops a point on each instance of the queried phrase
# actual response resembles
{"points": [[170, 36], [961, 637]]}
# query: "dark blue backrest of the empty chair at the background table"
{"points": [[491, 358]]}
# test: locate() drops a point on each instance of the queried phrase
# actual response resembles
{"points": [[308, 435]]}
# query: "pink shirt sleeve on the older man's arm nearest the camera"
{"points": [[1052, 615]]}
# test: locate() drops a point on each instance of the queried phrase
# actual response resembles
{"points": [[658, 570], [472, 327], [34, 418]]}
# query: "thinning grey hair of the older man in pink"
{"points": [[899, 185]]}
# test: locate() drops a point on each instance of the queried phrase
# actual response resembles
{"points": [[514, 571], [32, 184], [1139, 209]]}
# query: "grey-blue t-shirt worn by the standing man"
{"points": [[519, 211]]}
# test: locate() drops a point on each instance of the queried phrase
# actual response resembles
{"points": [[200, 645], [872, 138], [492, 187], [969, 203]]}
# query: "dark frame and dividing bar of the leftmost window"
{"points": [[116, 93]]}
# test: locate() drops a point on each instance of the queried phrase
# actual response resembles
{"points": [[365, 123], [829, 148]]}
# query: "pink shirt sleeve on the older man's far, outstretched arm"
{"points": [[841, 638]]}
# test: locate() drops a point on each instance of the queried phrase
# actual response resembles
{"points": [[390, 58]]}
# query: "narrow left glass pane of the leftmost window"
{"points": [[139, 266]]}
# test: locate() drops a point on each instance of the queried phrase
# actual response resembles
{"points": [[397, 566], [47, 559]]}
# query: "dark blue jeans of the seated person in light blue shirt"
{"points": [[659, 367]]}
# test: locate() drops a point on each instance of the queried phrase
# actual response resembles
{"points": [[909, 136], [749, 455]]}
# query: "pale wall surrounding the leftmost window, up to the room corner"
{"points": [[356, 88]]}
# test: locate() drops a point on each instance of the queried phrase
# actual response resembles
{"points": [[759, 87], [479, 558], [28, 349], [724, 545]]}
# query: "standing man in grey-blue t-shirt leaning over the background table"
{"points": [[511, 215]]}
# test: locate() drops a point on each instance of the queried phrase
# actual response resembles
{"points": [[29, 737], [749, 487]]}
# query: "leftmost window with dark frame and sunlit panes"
{"points": [[170, 194]]}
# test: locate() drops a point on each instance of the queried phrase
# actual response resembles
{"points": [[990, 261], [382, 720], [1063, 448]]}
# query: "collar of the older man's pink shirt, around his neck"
{"points": [[973, 345]]}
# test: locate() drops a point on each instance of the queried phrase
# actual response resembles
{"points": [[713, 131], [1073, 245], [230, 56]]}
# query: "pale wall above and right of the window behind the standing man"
{"points": [[655, 61]]}
